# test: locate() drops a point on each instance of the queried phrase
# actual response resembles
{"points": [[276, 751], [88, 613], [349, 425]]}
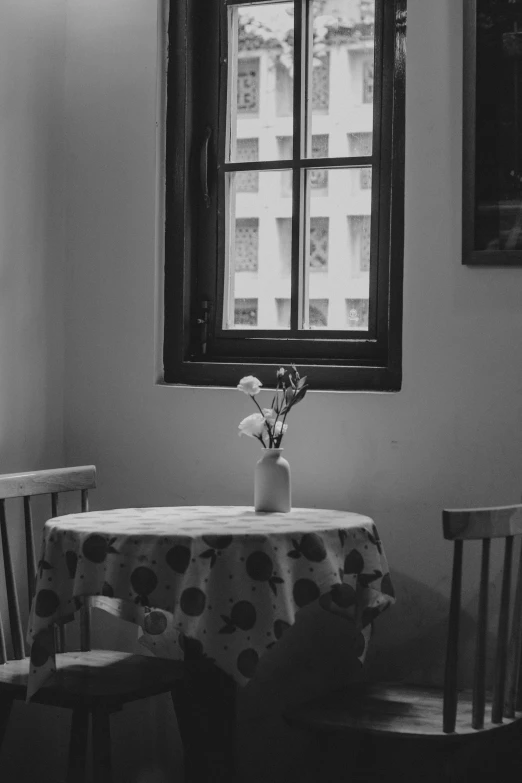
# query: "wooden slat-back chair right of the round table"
{"points": [[448, 719]]}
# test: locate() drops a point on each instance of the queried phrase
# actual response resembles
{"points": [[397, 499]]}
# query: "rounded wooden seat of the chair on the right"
{"points": [[389, 709]]}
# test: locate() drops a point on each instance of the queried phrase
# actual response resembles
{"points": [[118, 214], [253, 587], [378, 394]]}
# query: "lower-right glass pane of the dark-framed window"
{"points": [[338, 251]]}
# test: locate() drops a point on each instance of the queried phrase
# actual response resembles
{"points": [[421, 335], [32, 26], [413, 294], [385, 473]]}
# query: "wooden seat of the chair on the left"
{"points": [[97, 677]]}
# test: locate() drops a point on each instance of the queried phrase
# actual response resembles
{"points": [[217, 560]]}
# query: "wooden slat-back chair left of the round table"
{"points": [[92, 683]]}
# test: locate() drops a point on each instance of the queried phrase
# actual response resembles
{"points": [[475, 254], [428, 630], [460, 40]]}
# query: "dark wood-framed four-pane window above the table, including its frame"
{"points": [[285, 191]]}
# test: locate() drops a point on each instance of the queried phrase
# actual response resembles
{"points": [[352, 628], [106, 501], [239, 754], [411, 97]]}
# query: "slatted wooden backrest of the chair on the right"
{"points": [[484, 524]]}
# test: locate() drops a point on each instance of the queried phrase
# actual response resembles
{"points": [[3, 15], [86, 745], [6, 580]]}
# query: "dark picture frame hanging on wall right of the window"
{"points": [[492, 141]]}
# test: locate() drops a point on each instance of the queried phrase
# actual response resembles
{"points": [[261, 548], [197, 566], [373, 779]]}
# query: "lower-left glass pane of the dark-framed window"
{"points": [[258, 260]]}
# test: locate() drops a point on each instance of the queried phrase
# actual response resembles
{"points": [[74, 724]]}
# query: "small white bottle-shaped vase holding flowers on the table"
{"points": [[272, 490]]}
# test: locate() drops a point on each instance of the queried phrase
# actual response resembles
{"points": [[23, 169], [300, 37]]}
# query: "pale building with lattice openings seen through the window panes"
{"points": [[337, 228]]}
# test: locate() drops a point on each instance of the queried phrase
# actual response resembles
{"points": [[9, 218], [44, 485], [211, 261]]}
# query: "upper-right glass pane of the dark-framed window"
{"points": [[341, 74]]}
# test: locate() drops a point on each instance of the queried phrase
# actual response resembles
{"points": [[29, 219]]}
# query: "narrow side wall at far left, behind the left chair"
{"points": [[32, 243]]}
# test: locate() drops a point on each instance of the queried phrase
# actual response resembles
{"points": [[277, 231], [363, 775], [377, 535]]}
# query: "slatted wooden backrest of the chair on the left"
{"points": [[25, 485]]}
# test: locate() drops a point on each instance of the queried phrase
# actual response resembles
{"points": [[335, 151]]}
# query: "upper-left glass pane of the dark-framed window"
{"points": [[261, 62]]}
